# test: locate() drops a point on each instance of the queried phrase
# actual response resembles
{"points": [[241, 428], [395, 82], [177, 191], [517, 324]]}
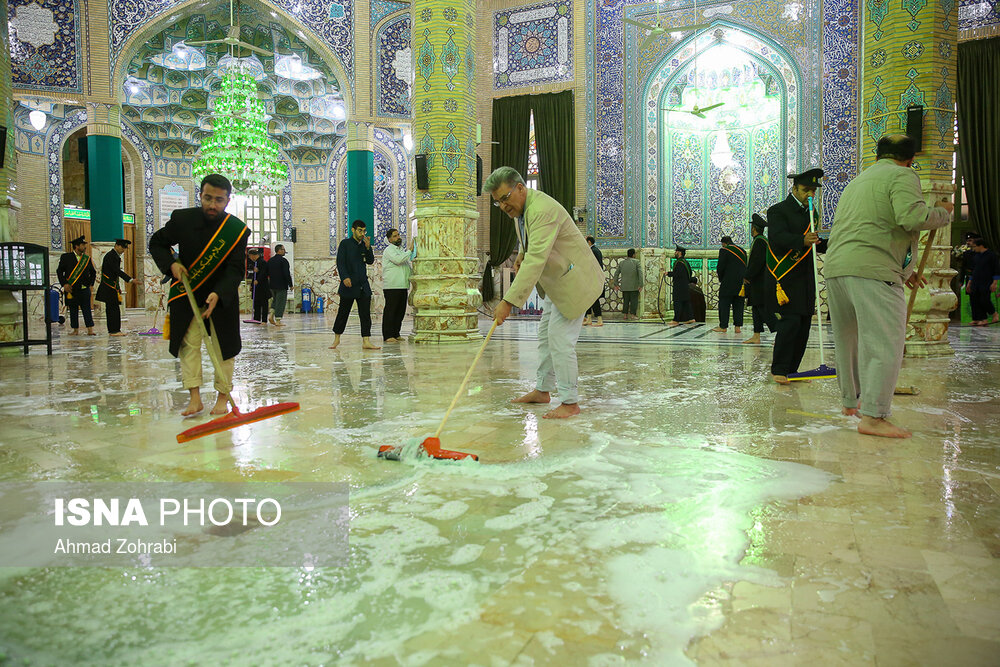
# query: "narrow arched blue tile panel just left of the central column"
{"points": [[393, 58]]}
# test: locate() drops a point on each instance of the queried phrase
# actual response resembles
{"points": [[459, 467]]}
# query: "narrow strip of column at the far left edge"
{"points": [[10, 309]]}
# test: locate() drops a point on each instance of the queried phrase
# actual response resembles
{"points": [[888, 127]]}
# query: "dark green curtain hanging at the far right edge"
{"points": [[979, 133]]}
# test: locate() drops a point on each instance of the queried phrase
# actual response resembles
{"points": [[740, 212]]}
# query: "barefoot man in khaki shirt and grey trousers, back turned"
{"points": [[873, 249]]}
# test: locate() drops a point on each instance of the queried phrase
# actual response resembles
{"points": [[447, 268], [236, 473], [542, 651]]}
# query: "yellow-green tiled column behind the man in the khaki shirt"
{"points": [[910, 57]]}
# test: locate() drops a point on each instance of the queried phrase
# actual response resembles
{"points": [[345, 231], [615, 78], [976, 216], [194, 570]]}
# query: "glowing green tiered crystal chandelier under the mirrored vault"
{"points": [[239, 147]]}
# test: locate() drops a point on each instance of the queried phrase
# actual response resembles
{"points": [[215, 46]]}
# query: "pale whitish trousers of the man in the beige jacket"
{"points": [[557, 370]]}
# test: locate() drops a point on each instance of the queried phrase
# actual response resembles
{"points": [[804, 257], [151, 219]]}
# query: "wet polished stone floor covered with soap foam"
{"points": [[694, 513]]}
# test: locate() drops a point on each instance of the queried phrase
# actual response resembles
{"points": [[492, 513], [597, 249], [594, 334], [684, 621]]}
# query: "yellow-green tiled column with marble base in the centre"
{"points": [[446, 293]]}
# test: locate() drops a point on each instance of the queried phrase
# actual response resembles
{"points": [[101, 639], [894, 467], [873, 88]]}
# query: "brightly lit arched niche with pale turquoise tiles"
{"points": [[689, 198]]}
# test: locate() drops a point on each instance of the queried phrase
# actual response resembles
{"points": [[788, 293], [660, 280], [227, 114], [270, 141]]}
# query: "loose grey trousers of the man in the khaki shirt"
{"points": [[869, 331]]}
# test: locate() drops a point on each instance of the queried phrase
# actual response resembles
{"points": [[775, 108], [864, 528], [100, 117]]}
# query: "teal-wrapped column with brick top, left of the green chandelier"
{"points": [[104, 171]]}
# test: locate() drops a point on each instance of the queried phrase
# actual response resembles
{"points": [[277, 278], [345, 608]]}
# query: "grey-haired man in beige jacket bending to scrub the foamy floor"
{"points": [[556, 257]]}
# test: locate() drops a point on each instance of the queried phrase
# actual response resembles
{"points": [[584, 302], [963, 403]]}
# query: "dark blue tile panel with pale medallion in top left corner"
{"points": [[45, 44]]}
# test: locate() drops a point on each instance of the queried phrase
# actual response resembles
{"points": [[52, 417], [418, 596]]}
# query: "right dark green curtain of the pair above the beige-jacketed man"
{"points": [[555, 127]]}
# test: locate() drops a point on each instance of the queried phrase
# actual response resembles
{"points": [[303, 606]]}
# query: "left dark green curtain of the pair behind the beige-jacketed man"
{"points": [[511, 120]]}
